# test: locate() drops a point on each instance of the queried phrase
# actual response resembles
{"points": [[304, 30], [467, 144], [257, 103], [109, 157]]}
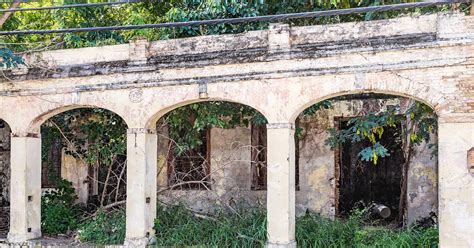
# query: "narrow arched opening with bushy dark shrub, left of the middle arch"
{"points": [[83, 170]]}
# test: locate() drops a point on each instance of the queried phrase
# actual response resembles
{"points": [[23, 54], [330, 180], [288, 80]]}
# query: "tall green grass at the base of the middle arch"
{"points": [[176, 226]]}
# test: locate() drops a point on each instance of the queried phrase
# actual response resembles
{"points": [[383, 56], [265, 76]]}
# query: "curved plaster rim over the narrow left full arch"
{"points": [[35, 125]]}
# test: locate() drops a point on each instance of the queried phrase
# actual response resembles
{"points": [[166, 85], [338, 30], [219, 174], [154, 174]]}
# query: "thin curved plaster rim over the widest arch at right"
{"points": [[434, 105]]}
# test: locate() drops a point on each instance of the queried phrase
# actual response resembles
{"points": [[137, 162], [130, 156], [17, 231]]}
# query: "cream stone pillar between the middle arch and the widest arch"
{"points": [[281, 185]]}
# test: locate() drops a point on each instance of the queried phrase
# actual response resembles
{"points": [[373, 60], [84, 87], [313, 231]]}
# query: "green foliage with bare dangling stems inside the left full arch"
{"points": [[96, 137]]}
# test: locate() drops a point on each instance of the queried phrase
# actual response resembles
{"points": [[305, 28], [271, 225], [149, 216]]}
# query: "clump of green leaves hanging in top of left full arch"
{"points": [[94, 135]]}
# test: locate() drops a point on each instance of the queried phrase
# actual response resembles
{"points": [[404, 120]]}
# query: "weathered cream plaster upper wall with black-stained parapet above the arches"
{"points": [[427, 61]]}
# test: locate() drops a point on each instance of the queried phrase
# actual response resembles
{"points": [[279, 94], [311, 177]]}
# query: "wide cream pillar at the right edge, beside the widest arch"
{"points": [[456, 184]]}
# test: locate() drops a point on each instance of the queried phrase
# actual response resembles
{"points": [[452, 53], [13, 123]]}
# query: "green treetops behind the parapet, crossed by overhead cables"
{"points": [[166, 11]]}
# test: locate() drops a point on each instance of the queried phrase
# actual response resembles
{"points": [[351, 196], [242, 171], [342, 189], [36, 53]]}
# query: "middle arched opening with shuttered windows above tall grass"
{"points": [[212, 163]]}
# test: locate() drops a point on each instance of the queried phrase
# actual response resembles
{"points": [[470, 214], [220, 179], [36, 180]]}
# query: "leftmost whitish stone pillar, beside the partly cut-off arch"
{"points": [[25, 194]]}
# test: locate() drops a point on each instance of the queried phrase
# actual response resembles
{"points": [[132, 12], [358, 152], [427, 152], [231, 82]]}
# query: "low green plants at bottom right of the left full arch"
{"points": [[105, 228]]}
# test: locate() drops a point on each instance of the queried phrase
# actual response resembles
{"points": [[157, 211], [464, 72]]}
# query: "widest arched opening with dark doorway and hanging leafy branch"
{"points": [[370, 153]]}
